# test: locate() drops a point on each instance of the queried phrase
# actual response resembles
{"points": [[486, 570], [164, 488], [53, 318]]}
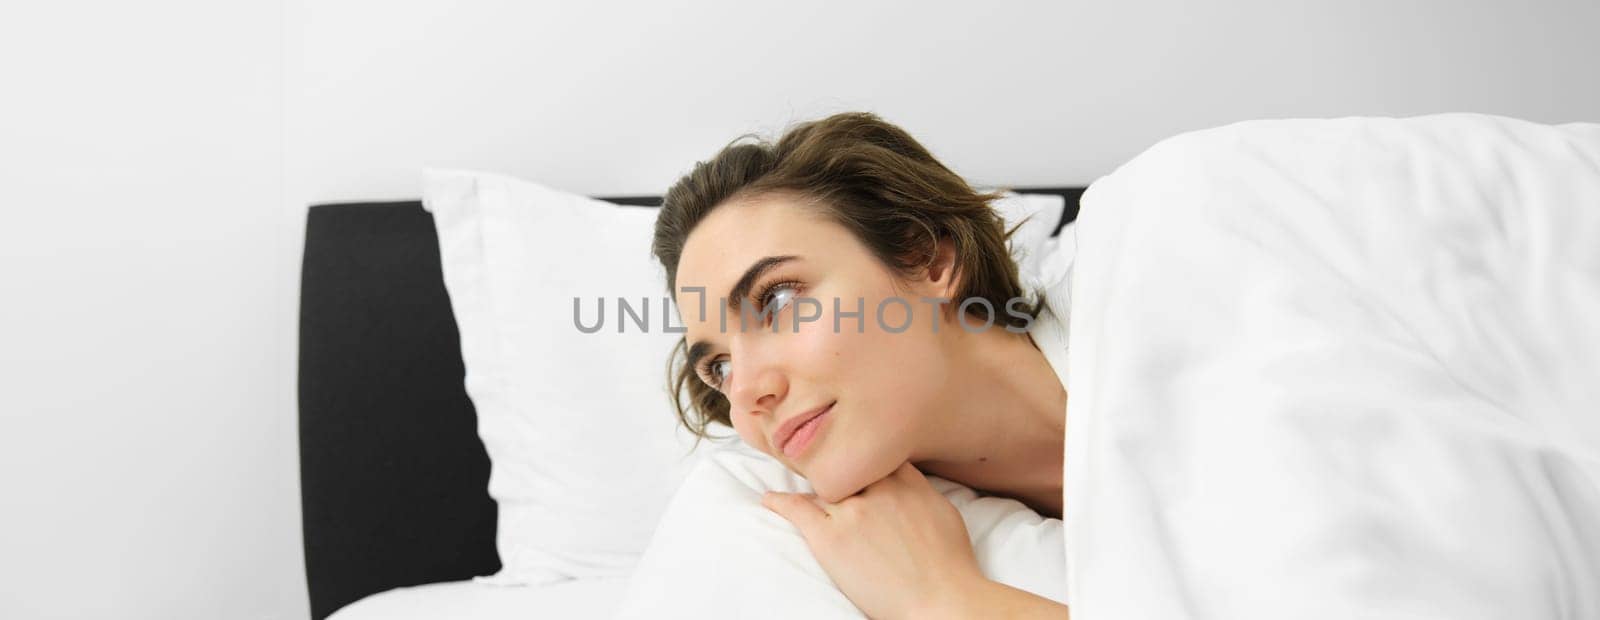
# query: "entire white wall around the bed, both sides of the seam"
{"points": [[156, 161]]}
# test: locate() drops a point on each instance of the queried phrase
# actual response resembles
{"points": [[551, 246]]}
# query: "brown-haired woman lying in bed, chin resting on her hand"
{"points": [[852, 311]]}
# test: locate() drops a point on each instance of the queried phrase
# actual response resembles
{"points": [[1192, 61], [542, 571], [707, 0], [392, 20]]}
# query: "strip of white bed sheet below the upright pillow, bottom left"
{"points": [[582, 598]]}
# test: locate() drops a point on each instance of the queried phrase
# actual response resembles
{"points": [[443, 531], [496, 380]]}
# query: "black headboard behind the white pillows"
{"points": [[393, 474]]}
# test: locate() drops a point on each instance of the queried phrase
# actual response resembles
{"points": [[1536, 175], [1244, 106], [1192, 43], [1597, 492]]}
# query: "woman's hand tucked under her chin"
{"points": [[897, 549]]}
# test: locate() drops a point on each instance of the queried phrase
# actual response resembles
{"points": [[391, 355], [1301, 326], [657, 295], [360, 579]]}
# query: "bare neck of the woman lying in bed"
{"points": [[1004, 427]]}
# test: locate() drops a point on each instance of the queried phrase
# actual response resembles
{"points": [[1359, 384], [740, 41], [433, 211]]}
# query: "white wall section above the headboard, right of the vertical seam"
{"points": [[622, 98]]}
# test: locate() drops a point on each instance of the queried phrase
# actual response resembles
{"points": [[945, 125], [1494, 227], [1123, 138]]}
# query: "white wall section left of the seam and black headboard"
{"points": [[148, 459]]}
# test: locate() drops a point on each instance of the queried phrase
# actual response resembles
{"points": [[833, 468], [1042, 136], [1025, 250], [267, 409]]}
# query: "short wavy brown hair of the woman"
{"points": [[868, 177]]}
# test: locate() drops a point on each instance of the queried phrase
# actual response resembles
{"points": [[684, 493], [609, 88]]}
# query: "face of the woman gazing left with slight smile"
{"points": [[878, 383]]}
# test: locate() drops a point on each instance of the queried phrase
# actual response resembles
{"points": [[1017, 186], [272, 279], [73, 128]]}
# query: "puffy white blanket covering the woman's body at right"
{"points": [[1340, 370]]}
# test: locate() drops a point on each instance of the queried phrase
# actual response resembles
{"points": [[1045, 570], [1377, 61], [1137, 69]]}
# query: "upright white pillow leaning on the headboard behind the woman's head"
{"points": [[578, 426]]}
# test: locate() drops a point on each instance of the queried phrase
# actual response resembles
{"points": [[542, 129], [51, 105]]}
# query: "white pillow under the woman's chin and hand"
{"points": [[721, 555]]}
